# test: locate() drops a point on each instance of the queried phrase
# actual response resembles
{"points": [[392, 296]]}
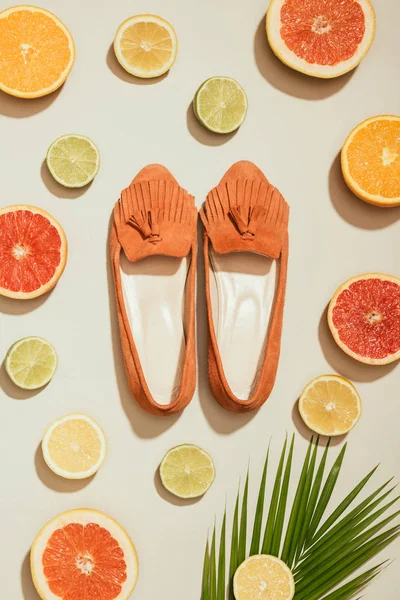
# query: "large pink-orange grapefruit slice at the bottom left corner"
{"points": [[83, 554]]}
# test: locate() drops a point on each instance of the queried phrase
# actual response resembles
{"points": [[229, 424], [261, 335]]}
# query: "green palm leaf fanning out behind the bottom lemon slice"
{"points": [[324, 552]]}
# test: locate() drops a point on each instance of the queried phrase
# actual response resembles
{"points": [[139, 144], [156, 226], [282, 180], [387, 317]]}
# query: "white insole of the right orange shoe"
{"points": [[243, 288]]}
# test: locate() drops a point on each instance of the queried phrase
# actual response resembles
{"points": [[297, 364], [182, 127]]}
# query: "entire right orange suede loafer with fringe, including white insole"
{"points": [[245, 222]]}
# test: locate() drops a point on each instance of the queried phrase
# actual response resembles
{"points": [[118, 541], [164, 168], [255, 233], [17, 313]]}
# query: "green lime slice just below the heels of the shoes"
{"points": [[187, 471]]}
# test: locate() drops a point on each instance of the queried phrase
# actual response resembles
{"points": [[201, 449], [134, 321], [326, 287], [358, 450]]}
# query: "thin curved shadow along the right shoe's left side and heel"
{"points": [[220, 419]]}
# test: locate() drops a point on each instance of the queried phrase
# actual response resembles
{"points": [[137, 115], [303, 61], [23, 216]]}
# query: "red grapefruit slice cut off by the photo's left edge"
{"points": [[33, 251]]}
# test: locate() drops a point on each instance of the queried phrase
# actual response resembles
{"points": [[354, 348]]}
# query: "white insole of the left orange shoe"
{"points": [[154, 295]]}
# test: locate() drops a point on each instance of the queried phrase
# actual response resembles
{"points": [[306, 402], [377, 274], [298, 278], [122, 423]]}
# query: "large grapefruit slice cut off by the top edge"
{"points": [[321, 38]]}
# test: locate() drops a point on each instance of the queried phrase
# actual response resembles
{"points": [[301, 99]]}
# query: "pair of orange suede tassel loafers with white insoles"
{"points": [[154, 255]]}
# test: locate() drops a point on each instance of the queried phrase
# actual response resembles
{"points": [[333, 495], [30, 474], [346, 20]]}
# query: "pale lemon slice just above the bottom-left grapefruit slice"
{"points": [[74, 447]]}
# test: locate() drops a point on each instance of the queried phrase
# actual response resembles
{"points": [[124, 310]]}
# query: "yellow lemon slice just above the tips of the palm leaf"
{"points": [[330, 405]]}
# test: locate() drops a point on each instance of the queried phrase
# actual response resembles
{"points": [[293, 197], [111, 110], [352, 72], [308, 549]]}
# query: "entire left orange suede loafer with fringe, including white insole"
{"points": [[153, 253]]}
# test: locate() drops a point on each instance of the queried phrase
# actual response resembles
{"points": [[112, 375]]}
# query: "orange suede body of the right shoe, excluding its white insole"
{"points": [[245, 213]]}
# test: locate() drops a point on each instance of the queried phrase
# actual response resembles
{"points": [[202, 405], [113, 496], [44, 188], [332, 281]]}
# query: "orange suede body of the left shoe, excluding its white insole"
{"points": [[155, 216]]}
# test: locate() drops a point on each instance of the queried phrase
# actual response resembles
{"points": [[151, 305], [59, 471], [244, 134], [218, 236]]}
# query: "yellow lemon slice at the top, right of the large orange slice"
{"points": [[146, 46]]}
